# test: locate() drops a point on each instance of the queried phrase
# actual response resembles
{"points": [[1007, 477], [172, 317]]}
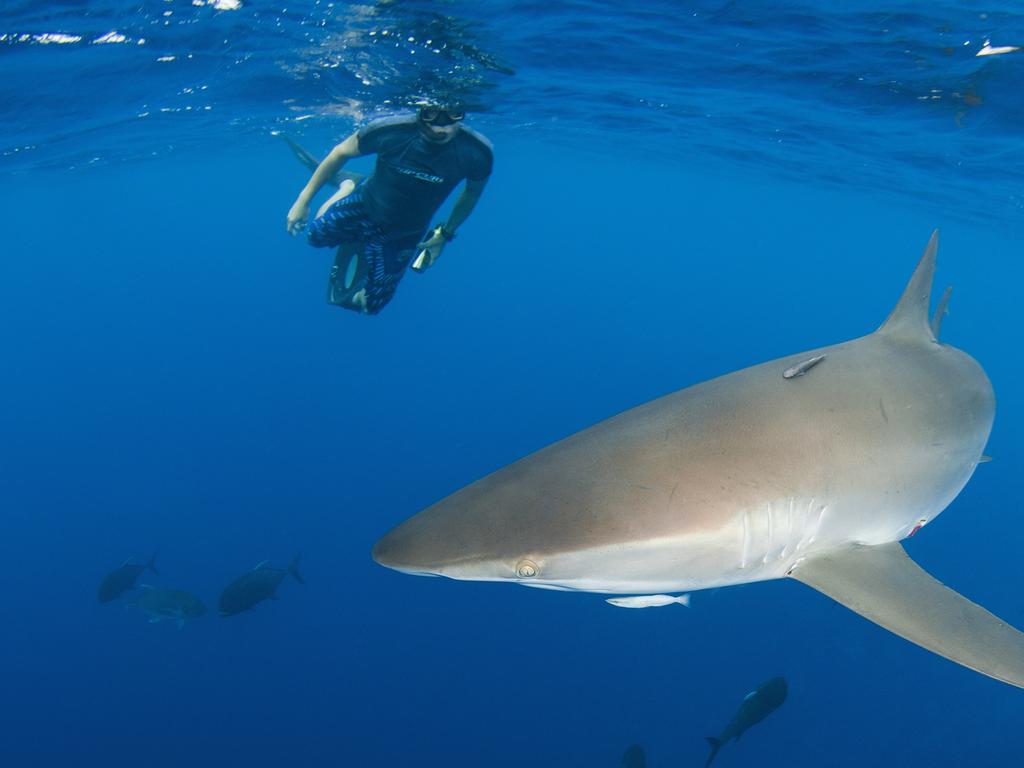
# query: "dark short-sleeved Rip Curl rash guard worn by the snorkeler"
{"points": [[413, 176]]}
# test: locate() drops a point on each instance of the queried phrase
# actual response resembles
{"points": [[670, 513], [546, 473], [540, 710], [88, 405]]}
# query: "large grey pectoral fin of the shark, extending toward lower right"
{"points": [[883, 584]]}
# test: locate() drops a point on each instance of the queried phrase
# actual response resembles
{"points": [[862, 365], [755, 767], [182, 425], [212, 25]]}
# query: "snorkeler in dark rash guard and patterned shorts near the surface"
{"points": [[379, 224]]}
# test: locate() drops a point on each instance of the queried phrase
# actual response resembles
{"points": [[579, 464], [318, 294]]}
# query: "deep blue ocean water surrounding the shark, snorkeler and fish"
{"points": [[680, 190]]}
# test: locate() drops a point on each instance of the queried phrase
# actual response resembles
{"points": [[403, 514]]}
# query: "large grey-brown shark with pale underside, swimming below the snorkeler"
{"points": [[748, 478]]}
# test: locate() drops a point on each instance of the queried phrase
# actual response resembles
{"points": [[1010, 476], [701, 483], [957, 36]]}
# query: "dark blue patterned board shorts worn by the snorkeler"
{"points": [[386, 254]]}
